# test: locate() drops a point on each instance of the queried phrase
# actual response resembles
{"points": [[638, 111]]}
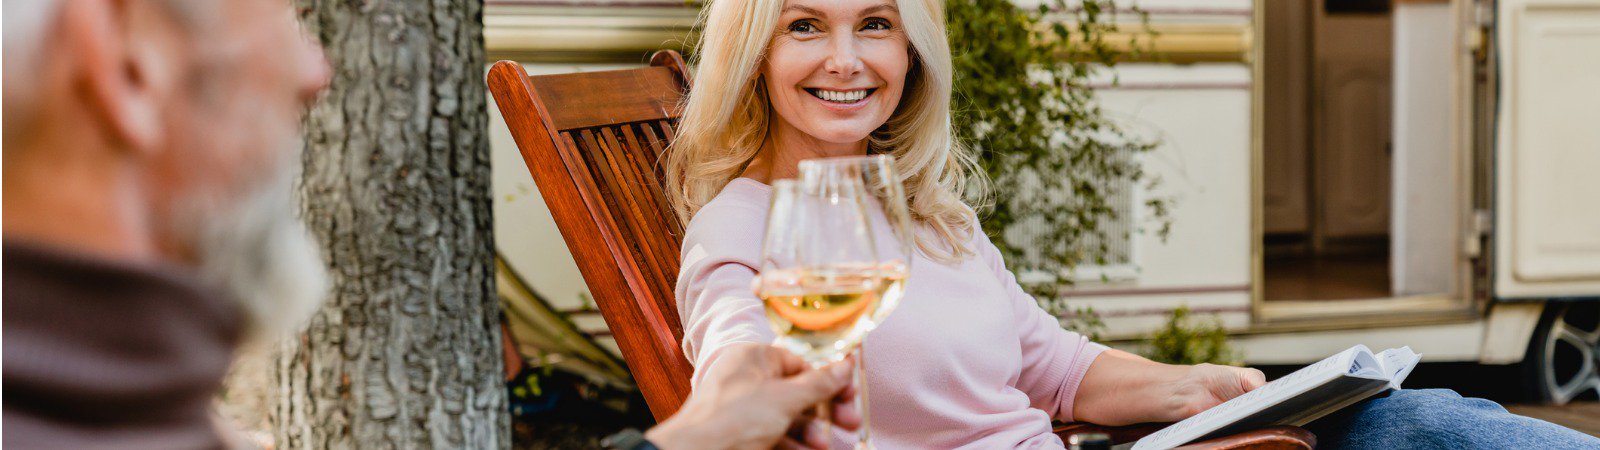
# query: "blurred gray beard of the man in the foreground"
{"points": [[260, 254]]}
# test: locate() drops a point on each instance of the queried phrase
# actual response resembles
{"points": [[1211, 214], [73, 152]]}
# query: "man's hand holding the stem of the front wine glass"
{"points": [[758, 398]]}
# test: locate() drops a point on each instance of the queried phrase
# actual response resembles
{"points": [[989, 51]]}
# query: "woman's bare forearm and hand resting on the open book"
{"points": [[1122, 388]]}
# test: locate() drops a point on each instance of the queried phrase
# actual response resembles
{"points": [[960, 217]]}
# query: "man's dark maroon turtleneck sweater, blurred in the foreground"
{"points": [[106, 355]]}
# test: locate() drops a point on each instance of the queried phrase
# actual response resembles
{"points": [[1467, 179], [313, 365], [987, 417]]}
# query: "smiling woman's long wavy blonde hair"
{"points": [[727, 115]]}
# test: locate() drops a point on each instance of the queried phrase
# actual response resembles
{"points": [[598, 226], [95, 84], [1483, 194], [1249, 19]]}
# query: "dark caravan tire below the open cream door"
{"points": [[1564, 355]]}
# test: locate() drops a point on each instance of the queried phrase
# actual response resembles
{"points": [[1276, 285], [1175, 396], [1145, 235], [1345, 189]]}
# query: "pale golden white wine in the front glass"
{"points": [[822, 315]]}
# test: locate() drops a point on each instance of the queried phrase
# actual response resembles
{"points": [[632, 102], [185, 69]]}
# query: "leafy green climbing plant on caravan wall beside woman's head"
{"points": [[1023, 102]]}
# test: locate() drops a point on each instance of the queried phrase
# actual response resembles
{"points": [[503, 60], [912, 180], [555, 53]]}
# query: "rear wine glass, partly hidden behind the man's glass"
{"points": [[890, 220]]}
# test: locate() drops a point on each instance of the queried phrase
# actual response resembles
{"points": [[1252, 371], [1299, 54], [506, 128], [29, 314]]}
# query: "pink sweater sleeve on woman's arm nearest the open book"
{"points": [[1054, 360]]}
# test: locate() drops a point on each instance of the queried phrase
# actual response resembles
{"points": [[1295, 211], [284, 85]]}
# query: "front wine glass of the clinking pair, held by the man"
{"points": [[820, 279]]}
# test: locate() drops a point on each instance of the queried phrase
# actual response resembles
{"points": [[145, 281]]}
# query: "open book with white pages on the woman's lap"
{"points": [[1297, 400]]}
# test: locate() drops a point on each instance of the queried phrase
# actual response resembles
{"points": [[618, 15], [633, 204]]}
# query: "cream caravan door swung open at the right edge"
{"points": [[1548, 150]]}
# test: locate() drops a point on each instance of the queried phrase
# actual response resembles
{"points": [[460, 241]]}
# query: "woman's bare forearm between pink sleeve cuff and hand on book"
{"points": [[1122, 388]]}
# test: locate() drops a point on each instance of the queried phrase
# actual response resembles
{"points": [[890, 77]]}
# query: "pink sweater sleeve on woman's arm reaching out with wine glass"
{"points": [[714, 287]]}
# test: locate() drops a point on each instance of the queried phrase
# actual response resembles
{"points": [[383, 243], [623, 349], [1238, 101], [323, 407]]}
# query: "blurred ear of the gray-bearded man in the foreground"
{"points": [[111, 71]]}
